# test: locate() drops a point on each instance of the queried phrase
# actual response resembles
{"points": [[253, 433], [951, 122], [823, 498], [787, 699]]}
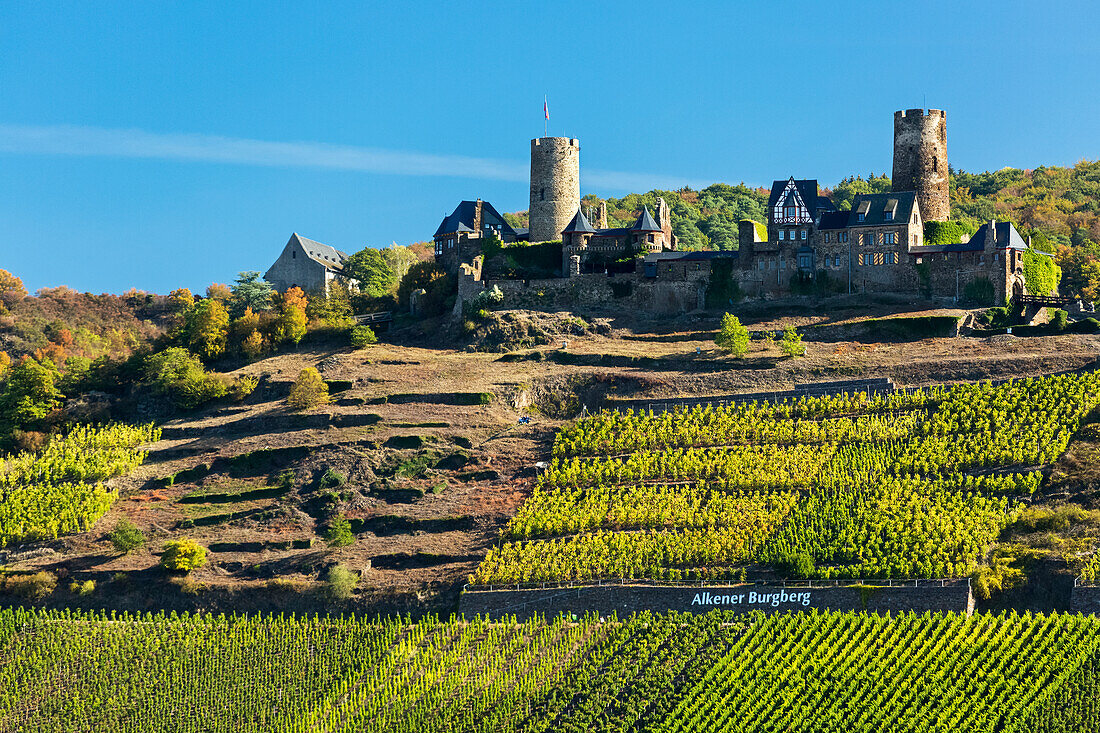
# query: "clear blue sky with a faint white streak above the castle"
{"points": [[158, 146]]}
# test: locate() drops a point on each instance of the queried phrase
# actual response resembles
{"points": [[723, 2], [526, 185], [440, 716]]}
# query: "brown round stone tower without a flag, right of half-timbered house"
{"points": [[921, 160]]}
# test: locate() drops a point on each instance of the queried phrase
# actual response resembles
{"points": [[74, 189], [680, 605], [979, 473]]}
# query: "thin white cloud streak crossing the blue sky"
{"points": [[87, 141]]}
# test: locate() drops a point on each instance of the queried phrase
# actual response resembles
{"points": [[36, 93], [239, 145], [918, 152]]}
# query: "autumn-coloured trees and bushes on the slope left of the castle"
{"points": [[68, 357]]}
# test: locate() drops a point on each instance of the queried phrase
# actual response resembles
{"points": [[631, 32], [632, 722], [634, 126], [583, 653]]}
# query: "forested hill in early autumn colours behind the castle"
{"points": [[1059, 206]]}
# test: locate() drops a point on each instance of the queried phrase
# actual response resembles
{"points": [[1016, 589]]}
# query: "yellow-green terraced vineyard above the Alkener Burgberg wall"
{"points": [[912, 485]]}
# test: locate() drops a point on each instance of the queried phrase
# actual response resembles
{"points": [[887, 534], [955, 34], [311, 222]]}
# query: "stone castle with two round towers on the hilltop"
{"points": [[875, 247]]}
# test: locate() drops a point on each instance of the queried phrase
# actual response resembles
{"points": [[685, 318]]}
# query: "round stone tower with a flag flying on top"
{"points": [[556, 187]]}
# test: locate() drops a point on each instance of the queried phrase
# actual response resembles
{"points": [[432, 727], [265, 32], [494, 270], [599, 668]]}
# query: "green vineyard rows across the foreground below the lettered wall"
{"points": [[74, 673]]}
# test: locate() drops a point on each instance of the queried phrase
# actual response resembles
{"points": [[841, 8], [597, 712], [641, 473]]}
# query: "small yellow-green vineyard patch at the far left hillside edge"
{"points": [[61, 489]]}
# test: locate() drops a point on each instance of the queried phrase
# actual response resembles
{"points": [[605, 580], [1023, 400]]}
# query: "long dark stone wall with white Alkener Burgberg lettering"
{"points": [[624, 600]]}
